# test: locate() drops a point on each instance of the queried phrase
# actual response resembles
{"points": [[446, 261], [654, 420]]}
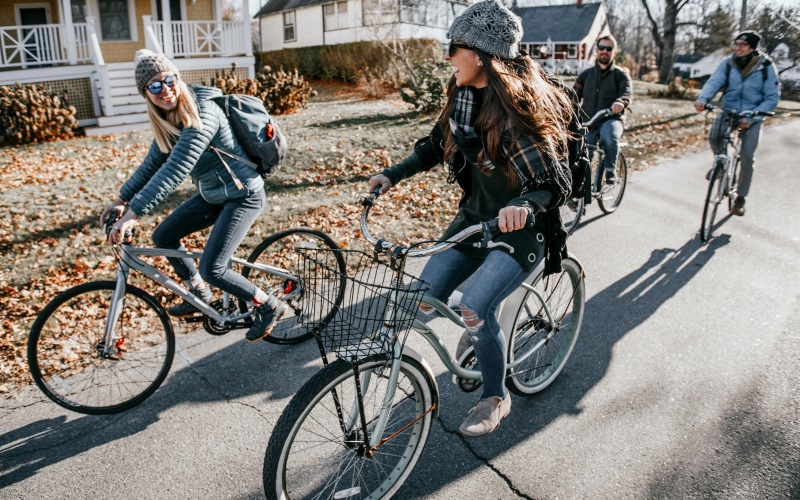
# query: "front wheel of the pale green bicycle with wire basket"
{"points": [[311, 455]]}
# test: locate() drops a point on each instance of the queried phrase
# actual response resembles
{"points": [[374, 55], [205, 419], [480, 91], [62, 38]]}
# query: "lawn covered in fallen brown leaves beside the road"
{"points": [[52, 195]]}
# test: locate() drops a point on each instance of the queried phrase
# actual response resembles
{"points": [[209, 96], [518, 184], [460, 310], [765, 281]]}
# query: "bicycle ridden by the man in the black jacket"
{"points": [[608, 196]]}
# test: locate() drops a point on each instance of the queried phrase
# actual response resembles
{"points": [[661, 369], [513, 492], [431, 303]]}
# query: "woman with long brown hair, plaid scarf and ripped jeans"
{"points": [[503, 136]]}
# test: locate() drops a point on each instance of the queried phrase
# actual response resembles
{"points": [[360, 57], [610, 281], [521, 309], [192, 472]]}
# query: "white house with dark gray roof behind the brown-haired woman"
{"points": [[562, 37]]}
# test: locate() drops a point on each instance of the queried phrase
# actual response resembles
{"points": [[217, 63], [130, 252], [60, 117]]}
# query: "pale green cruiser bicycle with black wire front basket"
{"points": [[357, 428]]}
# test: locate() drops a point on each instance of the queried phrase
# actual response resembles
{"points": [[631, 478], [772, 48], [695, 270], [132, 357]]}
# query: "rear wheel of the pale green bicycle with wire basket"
{"points": [[564, 294]]}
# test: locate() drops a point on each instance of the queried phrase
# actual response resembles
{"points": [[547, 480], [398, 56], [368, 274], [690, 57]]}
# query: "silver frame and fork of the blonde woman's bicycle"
{"points": [[129, 259]]}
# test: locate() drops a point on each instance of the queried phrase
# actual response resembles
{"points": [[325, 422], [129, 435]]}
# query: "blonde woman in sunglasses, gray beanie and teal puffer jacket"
{"points": [[191, 131]]}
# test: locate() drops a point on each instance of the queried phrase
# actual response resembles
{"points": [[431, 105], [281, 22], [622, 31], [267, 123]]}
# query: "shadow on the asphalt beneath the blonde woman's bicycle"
{"points": [[239, 370]]}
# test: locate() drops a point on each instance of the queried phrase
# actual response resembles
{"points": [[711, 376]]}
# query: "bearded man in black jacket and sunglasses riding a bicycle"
{"points": [[606, 85]]}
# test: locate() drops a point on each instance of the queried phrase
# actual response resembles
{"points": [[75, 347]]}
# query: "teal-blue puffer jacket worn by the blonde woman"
{"points": [[160, 173]]}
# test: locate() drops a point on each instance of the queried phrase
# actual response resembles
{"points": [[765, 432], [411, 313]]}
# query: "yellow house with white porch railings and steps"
{"points": [[86, 47]]}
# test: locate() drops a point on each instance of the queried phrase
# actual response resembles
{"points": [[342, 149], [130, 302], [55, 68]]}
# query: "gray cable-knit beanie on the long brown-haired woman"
{"points": [[490, 27]]}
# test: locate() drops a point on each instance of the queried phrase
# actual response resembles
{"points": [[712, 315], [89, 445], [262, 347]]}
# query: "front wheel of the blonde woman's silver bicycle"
{"points": [[67, 334]]}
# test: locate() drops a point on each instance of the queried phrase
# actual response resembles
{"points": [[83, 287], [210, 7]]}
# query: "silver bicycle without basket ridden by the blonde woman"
{"points": [[105, 346]]}
